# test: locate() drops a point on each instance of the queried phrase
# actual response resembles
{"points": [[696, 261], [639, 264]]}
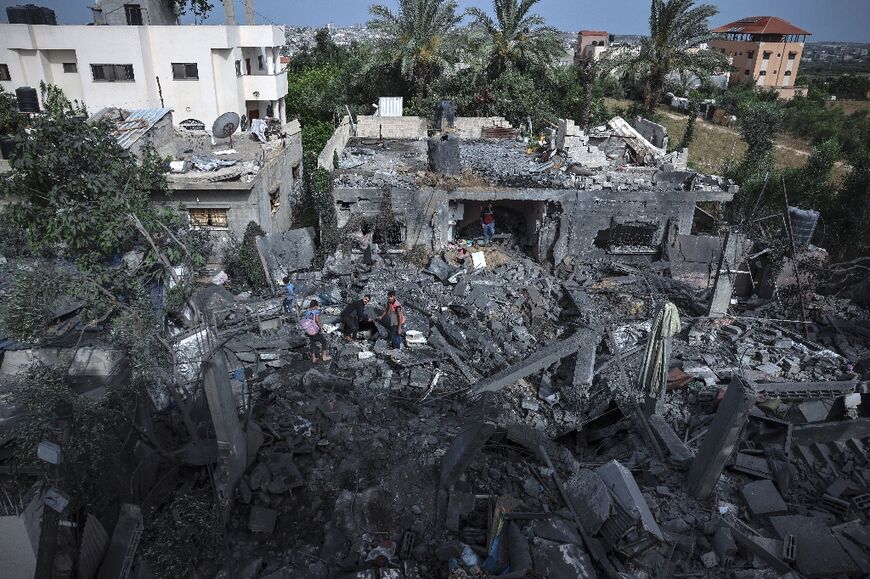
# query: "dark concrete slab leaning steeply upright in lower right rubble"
{"points": [[719, 442]]}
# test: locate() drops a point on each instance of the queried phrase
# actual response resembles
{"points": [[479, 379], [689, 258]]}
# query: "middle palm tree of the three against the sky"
{"points": [[517, 39]]}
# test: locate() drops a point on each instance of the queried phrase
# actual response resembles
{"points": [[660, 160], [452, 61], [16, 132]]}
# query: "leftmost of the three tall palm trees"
{"points": [[415, 36]]}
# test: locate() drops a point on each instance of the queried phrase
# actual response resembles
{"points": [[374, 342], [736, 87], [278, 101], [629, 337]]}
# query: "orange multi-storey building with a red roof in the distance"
{"points": [[764, 49]]}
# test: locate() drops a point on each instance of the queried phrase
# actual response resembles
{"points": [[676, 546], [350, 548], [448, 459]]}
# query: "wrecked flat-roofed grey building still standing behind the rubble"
{"points": [[606, 193]]}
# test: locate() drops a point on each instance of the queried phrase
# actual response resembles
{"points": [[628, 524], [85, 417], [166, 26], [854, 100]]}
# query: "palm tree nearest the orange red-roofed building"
{"points": [[677, 30]]}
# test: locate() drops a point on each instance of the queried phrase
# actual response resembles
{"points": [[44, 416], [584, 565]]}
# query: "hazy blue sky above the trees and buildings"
{"points": [[843, 20]]}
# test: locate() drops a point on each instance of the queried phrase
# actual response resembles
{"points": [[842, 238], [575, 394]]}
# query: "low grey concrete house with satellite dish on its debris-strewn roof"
{"points": [[223, 183]]}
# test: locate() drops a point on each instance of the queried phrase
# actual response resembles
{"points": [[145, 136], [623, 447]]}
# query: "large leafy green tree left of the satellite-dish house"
{"points": [[74, 189]]}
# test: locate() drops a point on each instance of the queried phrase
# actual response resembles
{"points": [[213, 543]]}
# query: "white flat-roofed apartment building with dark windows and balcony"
{"points": [[198, 71]]}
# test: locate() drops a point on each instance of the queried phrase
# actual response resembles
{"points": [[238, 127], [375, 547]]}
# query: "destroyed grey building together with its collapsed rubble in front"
{"points": [[598, 394]]}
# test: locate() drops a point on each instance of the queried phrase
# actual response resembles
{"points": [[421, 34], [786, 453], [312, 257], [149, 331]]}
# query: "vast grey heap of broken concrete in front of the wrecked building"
{"points": [[508, 437]]}
